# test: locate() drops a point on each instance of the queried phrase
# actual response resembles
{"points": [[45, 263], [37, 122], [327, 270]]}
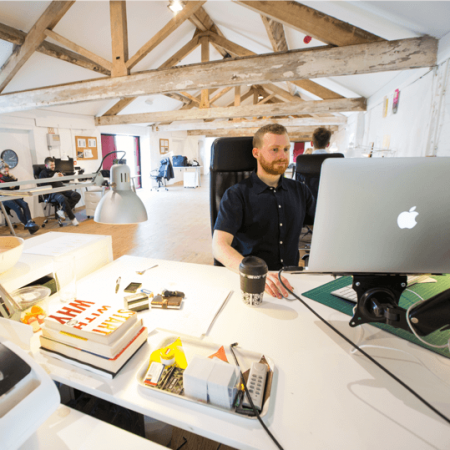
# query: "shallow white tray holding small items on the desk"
{"points": [[194, 347]]}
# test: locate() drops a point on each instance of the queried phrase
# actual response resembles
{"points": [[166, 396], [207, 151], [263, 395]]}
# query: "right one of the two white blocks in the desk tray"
{"points": [[222, 383]]}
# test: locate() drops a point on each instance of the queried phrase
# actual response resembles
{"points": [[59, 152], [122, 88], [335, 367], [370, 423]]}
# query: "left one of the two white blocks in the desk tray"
{"points": [[195, 378]]}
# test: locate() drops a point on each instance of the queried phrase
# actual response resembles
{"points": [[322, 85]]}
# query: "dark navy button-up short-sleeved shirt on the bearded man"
{"points": [[266, 222]]}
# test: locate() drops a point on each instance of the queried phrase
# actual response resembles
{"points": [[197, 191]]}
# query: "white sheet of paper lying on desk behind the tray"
{"points": [[199, 309]]}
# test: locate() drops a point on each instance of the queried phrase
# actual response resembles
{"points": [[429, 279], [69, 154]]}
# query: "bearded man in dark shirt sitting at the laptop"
{"points": [[263, 215]]}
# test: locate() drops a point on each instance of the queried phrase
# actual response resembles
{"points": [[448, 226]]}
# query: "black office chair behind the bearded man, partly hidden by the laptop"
{"points": [[307, 171]]}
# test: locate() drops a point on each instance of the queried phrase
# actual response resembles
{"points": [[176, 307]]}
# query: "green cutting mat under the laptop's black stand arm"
{"points": [[322, 294]]}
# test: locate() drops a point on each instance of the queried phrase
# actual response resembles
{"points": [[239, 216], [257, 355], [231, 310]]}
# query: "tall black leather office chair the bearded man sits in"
{"points": [[231, 161]]}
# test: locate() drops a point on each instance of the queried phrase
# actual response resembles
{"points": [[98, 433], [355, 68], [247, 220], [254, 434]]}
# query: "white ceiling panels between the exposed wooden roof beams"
{"points": [[87, 23]]}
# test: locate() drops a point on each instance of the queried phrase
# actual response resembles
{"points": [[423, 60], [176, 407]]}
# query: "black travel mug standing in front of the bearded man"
{"points": [[253, 272]]}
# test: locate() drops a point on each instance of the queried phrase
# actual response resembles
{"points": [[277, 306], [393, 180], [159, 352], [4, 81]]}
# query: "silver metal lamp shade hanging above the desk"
{"points": [[120, 205]]}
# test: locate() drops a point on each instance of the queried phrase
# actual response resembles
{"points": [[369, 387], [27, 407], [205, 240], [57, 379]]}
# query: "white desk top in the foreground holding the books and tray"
{"points": [[323, 396]]}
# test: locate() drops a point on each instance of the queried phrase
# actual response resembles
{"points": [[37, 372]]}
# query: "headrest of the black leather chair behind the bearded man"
{"points": [[232, 154]]}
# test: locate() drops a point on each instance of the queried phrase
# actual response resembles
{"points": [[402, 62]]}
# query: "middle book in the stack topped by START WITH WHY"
{"points": [[108, 350]]}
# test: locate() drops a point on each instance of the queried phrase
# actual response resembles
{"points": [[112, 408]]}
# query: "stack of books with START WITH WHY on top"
{"points": [[96, 337]]}
